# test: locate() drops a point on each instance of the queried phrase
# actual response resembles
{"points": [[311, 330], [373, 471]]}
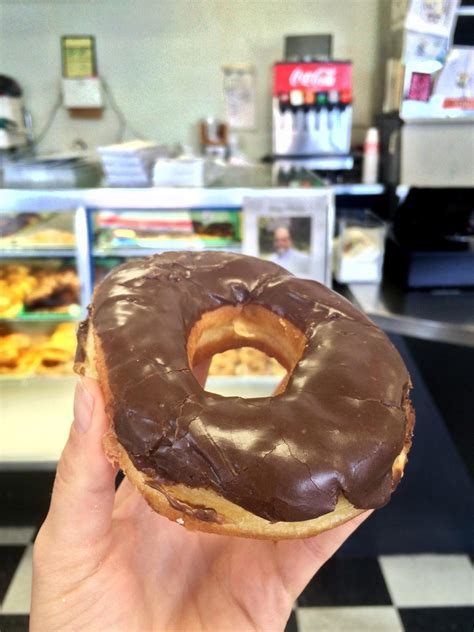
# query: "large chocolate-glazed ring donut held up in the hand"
{"points": [[332, 442]]}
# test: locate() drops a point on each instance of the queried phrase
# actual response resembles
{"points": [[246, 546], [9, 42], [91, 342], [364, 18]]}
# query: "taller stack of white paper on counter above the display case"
{"points": [[130, 164]]}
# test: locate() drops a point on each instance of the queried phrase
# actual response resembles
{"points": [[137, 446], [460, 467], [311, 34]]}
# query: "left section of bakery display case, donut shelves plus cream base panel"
{"points": [[40, 306]]}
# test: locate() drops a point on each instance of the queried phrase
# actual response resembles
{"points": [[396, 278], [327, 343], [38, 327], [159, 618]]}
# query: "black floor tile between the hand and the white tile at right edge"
{"points": [[347, 582]]}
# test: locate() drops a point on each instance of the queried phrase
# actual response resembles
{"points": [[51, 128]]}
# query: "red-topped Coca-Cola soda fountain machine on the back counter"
{"points": [[312, 113]]}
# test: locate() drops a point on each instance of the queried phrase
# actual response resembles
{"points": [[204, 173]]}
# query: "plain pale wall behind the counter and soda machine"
{"points": [[162, 58]]}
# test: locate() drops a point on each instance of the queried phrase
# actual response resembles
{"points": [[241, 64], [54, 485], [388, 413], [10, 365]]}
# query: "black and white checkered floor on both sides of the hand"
{"points": [[415, 593]]}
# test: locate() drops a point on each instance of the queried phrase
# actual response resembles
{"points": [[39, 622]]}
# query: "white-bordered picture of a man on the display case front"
{"points": [[293, 231]]}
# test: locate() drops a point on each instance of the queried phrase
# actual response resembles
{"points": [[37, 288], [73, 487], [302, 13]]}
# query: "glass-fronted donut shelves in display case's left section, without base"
{"points": [[39, 294]]}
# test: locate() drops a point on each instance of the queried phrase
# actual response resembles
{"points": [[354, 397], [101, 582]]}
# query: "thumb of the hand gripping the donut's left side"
{"points": [[83, 495]]}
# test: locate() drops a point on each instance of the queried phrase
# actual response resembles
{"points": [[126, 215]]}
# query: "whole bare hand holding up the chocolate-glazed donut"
{"points": [[104, 561]]}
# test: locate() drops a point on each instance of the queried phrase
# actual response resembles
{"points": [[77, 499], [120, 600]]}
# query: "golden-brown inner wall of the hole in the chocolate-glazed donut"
{"points": [[247, 328]]}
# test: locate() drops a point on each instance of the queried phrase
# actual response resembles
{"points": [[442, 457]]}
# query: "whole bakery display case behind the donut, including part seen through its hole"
{"points": [[54, 246]]}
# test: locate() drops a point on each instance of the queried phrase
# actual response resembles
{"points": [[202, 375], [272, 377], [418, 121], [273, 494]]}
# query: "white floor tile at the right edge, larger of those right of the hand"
{"points": [[429, 580]]}
